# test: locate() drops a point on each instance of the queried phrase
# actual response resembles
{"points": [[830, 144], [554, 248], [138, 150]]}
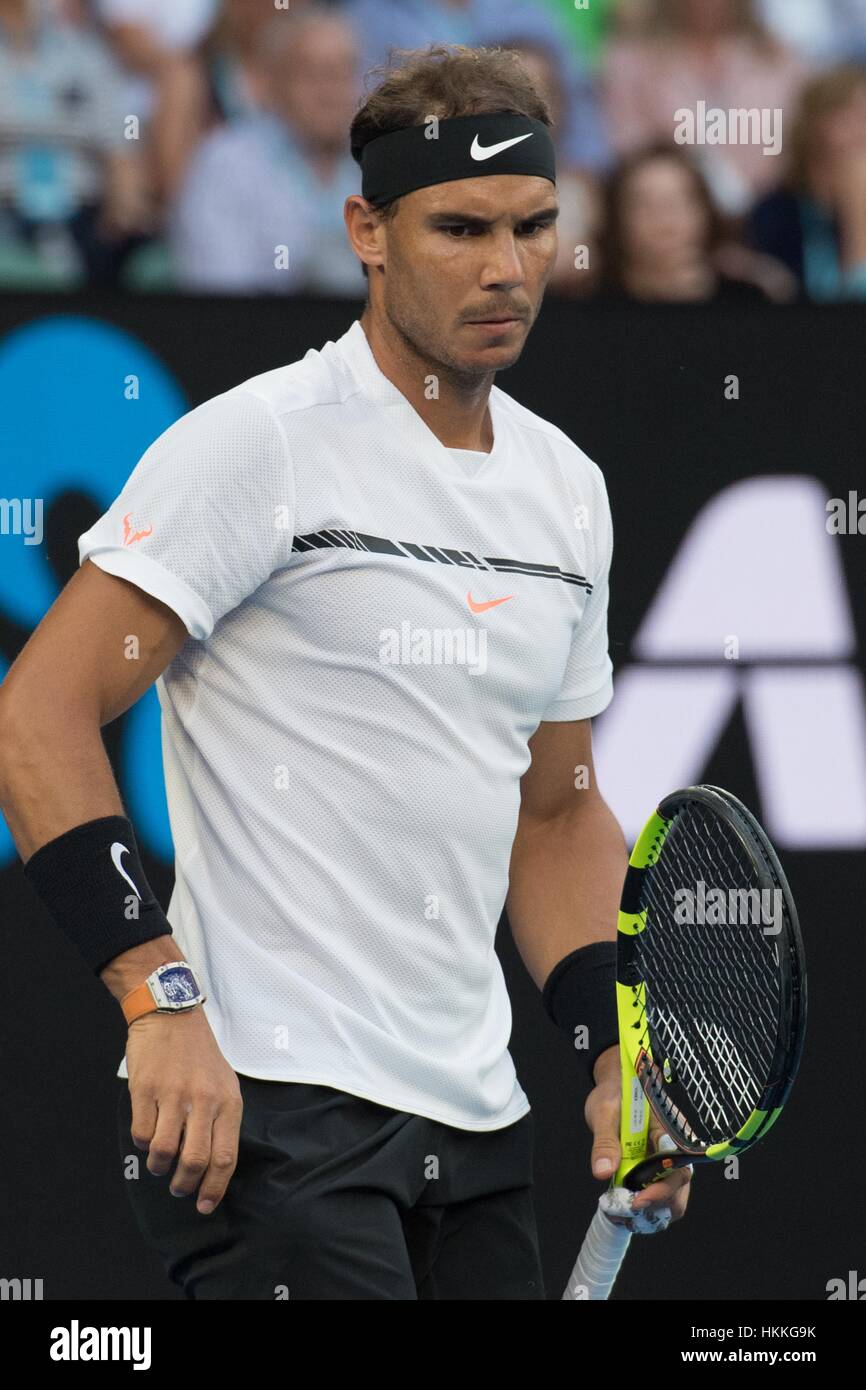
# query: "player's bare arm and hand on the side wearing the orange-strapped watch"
{"points": [[95, 654]]}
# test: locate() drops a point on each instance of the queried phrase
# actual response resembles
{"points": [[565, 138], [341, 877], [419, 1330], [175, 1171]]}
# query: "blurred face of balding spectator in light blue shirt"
{"points": [[313, 83]]}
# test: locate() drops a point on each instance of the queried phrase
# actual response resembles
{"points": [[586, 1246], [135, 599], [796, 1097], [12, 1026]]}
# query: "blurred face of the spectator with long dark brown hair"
{"points": [[662, 216]]}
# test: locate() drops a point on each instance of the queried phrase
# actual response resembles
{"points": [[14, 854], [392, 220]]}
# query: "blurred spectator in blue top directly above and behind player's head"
{"points": [[414, 24]]}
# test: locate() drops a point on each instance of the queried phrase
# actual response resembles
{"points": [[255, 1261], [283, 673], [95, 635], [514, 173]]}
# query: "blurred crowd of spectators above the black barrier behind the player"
{"points": [[179, 145]]}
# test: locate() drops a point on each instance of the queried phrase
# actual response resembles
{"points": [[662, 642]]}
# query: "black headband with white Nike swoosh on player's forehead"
{"points": [[462, 147]]}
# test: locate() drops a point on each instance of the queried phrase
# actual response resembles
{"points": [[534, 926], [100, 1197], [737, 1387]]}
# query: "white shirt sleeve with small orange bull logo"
{"points": [[208, 515]]}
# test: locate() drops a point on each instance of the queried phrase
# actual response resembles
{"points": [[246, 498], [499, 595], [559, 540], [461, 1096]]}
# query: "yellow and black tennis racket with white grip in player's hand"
{"points": [[711, 1001]]}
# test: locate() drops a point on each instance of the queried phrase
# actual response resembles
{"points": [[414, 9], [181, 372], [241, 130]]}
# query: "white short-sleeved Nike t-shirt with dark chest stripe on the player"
{"points": [[377, 628]]}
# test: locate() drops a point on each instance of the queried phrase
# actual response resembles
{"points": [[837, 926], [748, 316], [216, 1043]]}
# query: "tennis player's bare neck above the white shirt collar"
{"points": [[461, 415]]}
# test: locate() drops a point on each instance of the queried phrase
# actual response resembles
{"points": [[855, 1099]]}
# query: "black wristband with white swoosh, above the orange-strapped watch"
{"points": [[92, 882]]}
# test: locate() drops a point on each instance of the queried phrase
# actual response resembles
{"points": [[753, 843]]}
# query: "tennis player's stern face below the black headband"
{"points": [[459, 255]]}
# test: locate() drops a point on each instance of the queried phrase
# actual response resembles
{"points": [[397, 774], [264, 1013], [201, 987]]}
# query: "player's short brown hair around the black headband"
{"points": [[444, 80]]}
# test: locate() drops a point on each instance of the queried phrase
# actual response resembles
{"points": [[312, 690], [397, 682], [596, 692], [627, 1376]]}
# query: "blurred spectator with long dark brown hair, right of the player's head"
{"points": [[664, 234]]}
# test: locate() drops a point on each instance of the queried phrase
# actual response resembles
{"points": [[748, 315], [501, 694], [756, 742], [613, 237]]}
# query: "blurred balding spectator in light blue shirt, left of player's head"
{"points": [[279, 179]]}
